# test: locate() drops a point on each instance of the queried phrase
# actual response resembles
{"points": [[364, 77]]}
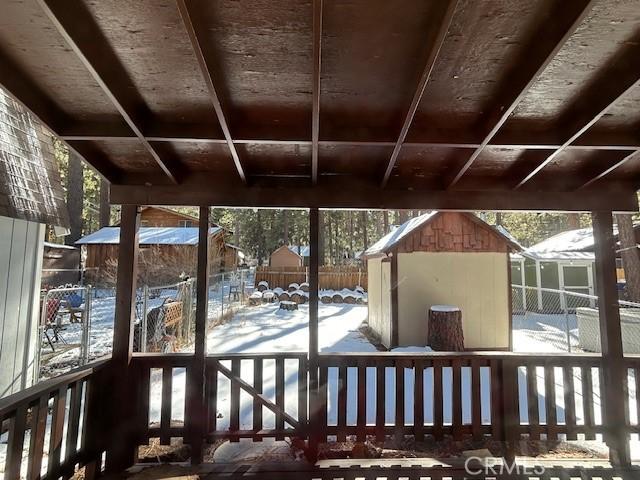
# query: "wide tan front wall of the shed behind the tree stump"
{"points": [[476, 282]]}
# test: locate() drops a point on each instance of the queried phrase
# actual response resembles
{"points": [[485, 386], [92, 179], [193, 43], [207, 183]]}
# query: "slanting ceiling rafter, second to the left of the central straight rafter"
{"points": [[79, 30]]}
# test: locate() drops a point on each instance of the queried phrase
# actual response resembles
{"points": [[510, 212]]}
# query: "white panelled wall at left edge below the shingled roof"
{"points": [[21, 250]]}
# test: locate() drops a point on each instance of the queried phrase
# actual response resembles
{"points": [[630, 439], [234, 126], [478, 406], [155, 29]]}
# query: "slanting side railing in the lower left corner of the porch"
{"points": [[61, 418]]}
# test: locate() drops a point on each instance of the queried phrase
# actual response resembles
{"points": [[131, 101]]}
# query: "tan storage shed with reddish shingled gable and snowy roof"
{"points": [[452, 258]]}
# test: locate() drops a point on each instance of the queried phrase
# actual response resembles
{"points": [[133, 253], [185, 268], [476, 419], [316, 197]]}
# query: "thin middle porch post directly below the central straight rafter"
{"points": [[314, 399]]}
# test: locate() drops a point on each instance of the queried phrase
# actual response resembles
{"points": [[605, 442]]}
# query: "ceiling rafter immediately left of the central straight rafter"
{"points": [[206, 69]]}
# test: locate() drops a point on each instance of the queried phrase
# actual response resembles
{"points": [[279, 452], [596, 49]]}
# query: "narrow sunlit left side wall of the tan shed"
{"points": [[379, 298]]}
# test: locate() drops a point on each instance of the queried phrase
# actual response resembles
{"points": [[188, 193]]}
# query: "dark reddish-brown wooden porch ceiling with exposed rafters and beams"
{"points": [[497, 103]]}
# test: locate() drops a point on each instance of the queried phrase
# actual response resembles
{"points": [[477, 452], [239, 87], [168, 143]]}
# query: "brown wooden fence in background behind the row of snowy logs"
{"points": [[330, 277]]}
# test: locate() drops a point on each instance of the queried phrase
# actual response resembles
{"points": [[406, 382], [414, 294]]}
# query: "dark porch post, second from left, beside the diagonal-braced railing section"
{"points": [[197, 408]]}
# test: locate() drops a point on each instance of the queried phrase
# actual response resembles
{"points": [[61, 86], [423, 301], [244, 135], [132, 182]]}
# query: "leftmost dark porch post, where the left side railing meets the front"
{"points": [[123, 451]]}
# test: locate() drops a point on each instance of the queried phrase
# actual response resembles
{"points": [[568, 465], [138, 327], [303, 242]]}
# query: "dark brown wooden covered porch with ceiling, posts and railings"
{"points": [[444, 105]]}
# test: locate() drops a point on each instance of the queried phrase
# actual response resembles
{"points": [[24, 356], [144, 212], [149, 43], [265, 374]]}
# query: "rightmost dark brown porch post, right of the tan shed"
{"points": [[614, 373]]}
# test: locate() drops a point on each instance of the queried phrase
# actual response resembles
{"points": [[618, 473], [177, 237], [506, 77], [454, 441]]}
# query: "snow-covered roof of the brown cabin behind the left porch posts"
{"points": [[148, 236]]}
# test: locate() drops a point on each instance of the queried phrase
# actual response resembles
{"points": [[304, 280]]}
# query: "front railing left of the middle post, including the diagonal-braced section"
{"points": [[265, 380]]}
